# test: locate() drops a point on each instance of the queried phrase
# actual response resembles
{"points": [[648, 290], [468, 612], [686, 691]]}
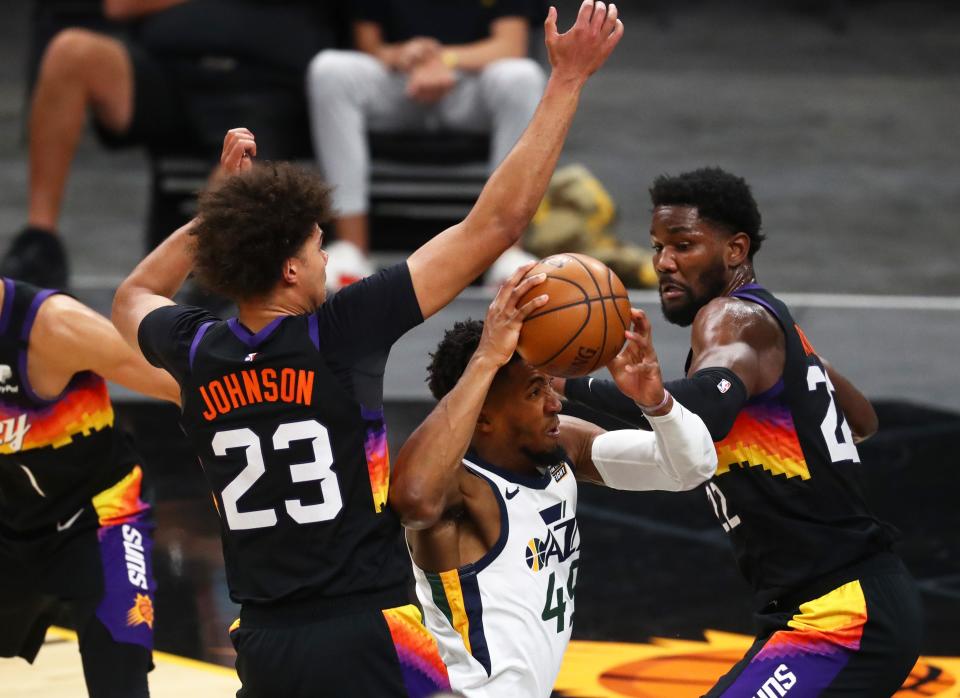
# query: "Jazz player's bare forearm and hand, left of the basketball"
{"points": [[427, 466]]}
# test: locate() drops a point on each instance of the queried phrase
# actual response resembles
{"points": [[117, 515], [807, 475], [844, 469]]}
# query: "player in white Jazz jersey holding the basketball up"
{"points": [[487, 489]]}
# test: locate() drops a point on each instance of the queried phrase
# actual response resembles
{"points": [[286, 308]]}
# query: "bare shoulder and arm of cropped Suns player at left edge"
{"points": [[68, 337]]}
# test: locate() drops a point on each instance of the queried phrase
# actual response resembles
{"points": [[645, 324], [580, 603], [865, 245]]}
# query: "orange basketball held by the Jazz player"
{"points": [[581, 327]]}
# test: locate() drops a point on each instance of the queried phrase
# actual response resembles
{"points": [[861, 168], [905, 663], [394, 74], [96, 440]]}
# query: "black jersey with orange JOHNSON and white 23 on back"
{"points": [[288, 425]]}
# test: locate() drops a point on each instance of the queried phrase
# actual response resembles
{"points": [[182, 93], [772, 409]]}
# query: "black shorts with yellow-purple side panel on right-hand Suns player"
{"points": [[860, 639]]}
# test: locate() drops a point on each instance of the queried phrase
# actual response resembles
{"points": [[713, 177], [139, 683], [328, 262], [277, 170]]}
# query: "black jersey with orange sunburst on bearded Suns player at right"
{"points": [[787, 484]]}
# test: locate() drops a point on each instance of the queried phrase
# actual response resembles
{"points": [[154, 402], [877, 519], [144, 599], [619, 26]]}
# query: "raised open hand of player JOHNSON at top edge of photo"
{"points": [[579, 52]]}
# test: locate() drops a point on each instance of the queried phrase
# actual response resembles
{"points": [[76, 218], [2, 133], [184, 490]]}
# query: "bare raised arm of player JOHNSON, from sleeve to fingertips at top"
{"points": [[445, 265]]}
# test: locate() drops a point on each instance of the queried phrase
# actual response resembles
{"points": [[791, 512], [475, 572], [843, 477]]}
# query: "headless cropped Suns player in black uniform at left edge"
{"points": [[75, 533]]}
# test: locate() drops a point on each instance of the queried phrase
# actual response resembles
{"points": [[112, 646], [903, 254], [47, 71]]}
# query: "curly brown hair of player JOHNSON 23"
{"points": [[252, 222]]}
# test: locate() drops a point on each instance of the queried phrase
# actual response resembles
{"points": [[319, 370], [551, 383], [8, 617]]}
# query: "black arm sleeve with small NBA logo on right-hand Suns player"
{"points": [[714, 394]]}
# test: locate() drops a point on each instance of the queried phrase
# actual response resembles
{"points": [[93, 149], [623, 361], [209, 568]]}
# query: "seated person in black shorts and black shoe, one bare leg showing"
{"points": [[152, 87]]}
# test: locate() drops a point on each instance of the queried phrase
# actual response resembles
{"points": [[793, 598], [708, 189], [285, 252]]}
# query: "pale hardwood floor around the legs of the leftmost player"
{"points": [[57, 674]]}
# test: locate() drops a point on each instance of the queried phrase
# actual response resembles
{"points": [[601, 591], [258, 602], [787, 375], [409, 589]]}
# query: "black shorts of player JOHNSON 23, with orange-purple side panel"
{"points": [[368, 654]]}
